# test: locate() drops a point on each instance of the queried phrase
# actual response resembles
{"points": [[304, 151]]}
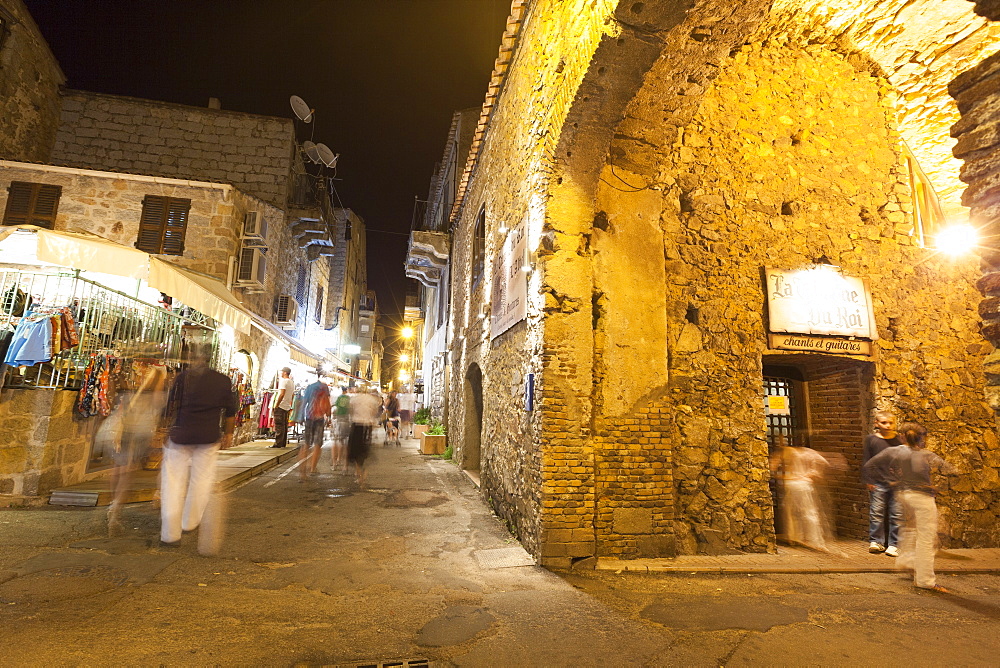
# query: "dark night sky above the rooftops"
{"points": [[384, 77]]}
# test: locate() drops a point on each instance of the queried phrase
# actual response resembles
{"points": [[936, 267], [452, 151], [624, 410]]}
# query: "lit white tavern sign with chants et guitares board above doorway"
{"points": [[820, 310]]}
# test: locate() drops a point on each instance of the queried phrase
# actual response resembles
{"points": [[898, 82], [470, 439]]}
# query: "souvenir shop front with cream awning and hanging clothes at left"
{"points": [[72, 339]]}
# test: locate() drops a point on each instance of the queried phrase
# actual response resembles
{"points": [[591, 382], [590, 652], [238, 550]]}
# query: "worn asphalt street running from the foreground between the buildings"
{"points": [[415, 567]]}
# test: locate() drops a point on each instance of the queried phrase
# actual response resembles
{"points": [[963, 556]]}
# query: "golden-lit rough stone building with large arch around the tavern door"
{"points": [[670, 153]]}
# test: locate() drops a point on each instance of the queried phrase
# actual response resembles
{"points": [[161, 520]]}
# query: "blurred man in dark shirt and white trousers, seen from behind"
{"points": [[204, 406]]}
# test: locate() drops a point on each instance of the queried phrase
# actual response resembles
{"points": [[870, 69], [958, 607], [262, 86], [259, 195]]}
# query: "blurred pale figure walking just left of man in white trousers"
{"points": [[140, 417]]}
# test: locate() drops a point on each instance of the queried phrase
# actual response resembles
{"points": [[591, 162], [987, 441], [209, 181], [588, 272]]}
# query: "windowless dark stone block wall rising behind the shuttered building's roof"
{"points": [[123, 134]]}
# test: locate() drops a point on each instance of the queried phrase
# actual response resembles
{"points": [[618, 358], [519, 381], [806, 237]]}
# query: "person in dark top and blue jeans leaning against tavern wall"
{"points": [[883, 536]]}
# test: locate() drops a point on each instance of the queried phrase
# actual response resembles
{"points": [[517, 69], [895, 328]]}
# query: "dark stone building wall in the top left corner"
{"points": [[29, 89]]}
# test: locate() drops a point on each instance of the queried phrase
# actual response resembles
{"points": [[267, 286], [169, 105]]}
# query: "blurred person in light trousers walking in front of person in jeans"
{"points": [[907, 469]]}
